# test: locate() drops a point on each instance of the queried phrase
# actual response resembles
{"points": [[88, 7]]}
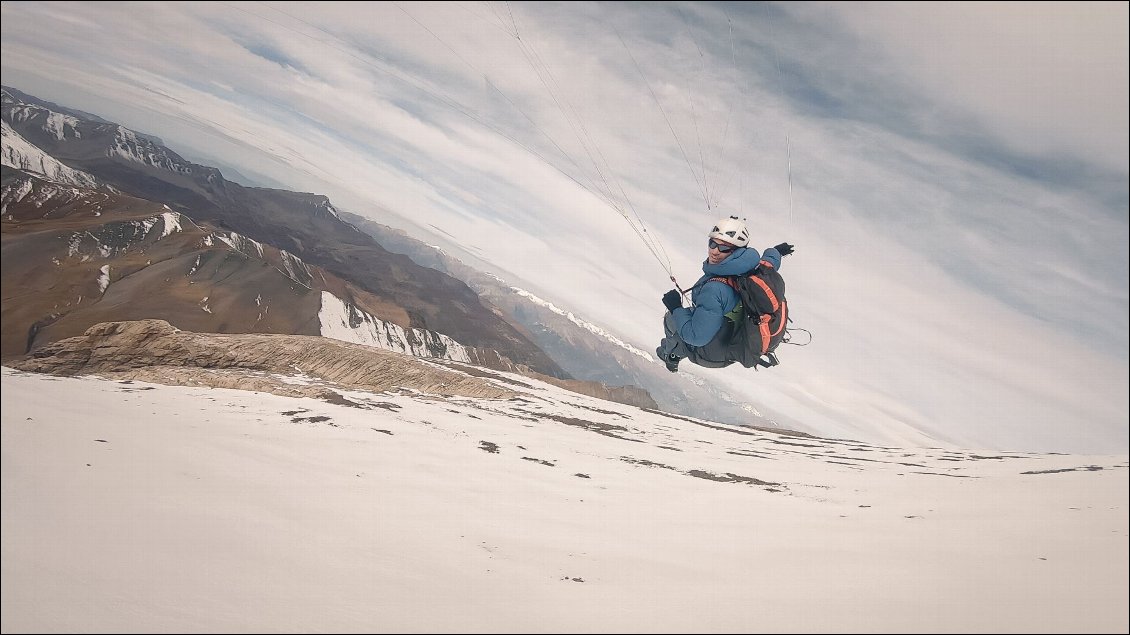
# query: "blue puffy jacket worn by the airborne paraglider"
{"points": [[712, 301]]}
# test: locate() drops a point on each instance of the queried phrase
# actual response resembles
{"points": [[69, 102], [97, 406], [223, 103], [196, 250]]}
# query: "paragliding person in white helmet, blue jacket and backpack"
{"points": [[708, 333]]}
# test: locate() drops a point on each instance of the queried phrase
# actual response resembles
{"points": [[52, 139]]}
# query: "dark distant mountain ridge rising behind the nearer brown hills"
{"points": [[305, 225]]}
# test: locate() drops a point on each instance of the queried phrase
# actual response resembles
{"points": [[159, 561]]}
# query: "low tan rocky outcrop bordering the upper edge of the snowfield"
{"points": [[154, 351]]}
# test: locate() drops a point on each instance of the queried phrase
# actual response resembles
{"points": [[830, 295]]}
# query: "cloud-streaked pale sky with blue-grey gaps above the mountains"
{"points": [[954, 175]]}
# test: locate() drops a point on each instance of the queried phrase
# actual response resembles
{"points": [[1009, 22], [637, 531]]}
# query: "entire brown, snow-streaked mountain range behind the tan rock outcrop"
{"points": [[231, 236]]}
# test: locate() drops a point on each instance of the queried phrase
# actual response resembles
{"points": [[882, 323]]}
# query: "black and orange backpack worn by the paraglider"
{"points": [[760, 319]]}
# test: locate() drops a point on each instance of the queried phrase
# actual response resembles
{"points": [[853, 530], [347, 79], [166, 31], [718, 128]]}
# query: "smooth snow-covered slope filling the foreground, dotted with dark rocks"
{"points": [[137, 508]]}
